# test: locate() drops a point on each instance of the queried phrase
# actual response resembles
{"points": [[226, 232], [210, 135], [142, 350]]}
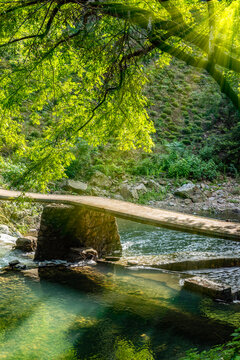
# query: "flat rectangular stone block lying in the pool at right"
{"points": [[210, 288]]}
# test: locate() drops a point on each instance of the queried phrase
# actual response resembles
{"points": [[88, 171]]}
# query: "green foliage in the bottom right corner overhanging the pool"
{"points": [[229, 351]]}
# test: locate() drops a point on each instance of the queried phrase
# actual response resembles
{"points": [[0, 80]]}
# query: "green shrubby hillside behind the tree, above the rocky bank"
{"points": [[197, 132]]}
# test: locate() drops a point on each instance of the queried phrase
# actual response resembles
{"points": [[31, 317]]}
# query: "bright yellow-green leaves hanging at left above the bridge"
{"points": [[78, 89]]}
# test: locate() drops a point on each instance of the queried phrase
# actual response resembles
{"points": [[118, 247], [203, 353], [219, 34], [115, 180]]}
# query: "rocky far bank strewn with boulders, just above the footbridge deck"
{"points": [[220, 199]]}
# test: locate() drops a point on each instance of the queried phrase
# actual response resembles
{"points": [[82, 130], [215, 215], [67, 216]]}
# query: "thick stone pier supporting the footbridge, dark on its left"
{"points": [[65, 226]]}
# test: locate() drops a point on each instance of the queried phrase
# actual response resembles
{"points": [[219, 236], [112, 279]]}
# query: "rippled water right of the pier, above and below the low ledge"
{"points": [[138, 239]]}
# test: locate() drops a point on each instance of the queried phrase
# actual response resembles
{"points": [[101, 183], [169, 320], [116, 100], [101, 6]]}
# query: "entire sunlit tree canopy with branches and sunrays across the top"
{"points": [[74, 69]]}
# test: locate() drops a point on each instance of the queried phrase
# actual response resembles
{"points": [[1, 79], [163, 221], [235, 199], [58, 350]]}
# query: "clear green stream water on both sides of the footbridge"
{"points": [[42, 320]]}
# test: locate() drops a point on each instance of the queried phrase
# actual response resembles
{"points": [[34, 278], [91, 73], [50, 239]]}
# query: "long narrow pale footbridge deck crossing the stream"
{"points": [[138, 213]]}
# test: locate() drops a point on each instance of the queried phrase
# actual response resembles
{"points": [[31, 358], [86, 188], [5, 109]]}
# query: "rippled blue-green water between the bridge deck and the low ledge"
{"points": [[139, 239]]}
